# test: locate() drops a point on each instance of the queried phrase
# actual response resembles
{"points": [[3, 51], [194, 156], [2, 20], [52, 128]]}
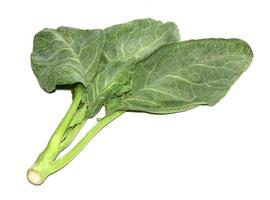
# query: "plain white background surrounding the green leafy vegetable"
{"points": [[211, 153]]}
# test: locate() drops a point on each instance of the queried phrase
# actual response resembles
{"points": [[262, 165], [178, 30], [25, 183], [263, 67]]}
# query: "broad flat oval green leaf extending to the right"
{"points": [[184, 75]]}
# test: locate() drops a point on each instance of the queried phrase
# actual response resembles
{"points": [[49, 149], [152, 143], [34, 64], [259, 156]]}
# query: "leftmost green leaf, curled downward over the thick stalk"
{"points": [[66, 56]]}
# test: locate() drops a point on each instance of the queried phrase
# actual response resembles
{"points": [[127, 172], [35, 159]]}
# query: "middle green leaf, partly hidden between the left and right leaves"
{"points": [[126, 45]]}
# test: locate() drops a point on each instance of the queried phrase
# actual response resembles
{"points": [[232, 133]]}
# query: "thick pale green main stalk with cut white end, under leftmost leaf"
{"points": [[38, 172]]}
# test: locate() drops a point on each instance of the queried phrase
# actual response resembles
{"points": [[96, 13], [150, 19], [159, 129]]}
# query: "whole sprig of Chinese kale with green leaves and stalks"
{"points": [[136, 66]]}
